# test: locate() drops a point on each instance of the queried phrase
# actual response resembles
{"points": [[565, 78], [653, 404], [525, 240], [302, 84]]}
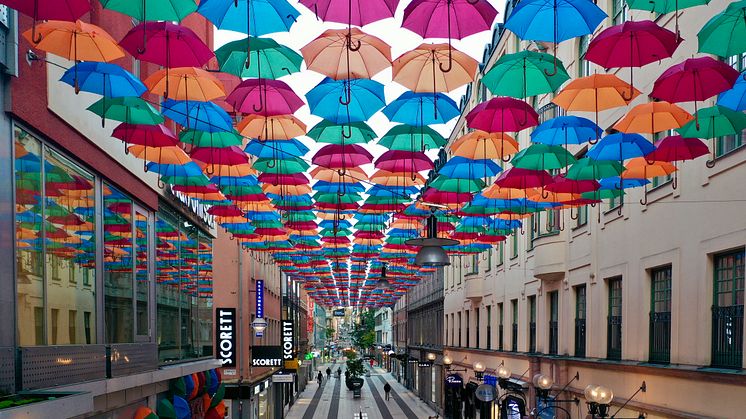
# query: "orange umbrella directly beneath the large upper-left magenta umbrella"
{"points": [[185, 83]]}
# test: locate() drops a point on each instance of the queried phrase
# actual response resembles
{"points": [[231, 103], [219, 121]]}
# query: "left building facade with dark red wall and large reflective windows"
{"points": [[107, 289]]}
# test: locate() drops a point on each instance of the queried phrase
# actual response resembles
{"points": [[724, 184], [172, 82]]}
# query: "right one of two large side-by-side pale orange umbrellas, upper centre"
{"points": [[421, 70]]}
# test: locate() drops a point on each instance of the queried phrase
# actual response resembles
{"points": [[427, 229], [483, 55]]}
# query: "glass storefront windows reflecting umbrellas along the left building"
{"points": [[72, 225]]}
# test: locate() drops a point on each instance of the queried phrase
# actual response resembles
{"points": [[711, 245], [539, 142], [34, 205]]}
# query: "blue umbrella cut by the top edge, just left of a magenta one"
{"points": [[255, 17]]}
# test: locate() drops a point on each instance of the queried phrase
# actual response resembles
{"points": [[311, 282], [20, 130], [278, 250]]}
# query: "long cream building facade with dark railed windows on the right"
{"points": [[624, 292]]}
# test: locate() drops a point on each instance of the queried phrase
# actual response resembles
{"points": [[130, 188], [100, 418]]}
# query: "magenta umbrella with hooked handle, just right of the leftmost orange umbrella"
{"points": [[168, 45]]}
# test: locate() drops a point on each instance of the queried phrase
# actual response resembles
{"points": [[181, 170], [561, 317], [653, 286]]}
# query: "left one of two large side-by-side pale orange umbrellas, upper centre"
{"points": [[347, 54]]}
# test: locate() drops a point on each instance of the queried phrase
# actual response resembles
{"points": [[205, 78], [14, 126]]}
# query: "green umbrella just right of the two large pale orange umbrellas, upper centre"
{"points": [[525, 74]]}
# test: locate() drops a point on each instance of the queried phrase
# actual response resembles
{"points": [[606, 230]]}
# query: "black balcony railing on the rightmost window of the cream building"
{"points": [[727, 336]]}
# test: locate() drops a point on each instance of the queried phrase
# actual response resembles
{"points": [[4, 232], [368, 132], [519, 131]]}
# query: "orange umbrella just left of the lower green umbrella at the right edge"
{"points": [[653, 117]]}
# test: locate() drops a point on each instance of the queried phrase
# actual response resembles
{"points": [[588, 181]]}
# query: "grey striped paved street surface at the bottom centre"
{"points": [[332, 400]]}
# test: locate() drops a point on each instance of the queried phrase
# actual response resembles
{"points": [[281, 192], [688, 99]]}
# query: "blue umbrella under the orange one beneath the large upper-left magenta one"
{"points": [[200, 116]]}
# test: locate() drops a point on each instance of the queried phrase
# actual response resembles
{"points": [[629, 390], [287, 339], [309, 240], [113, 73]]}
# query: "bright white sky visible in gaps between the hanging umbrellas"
{"points": [[401, 40]]}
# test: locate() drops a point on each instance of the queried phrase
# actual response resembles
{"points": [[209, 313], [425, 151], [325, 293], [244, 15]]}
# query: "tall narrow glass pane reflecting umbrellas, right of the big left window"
{"points": [[118, 266]]}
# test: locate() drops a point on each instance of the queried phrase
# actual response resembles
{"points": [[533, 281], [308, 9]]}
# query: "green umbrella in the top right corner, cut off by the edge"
{"points": [[725, 33]]}
